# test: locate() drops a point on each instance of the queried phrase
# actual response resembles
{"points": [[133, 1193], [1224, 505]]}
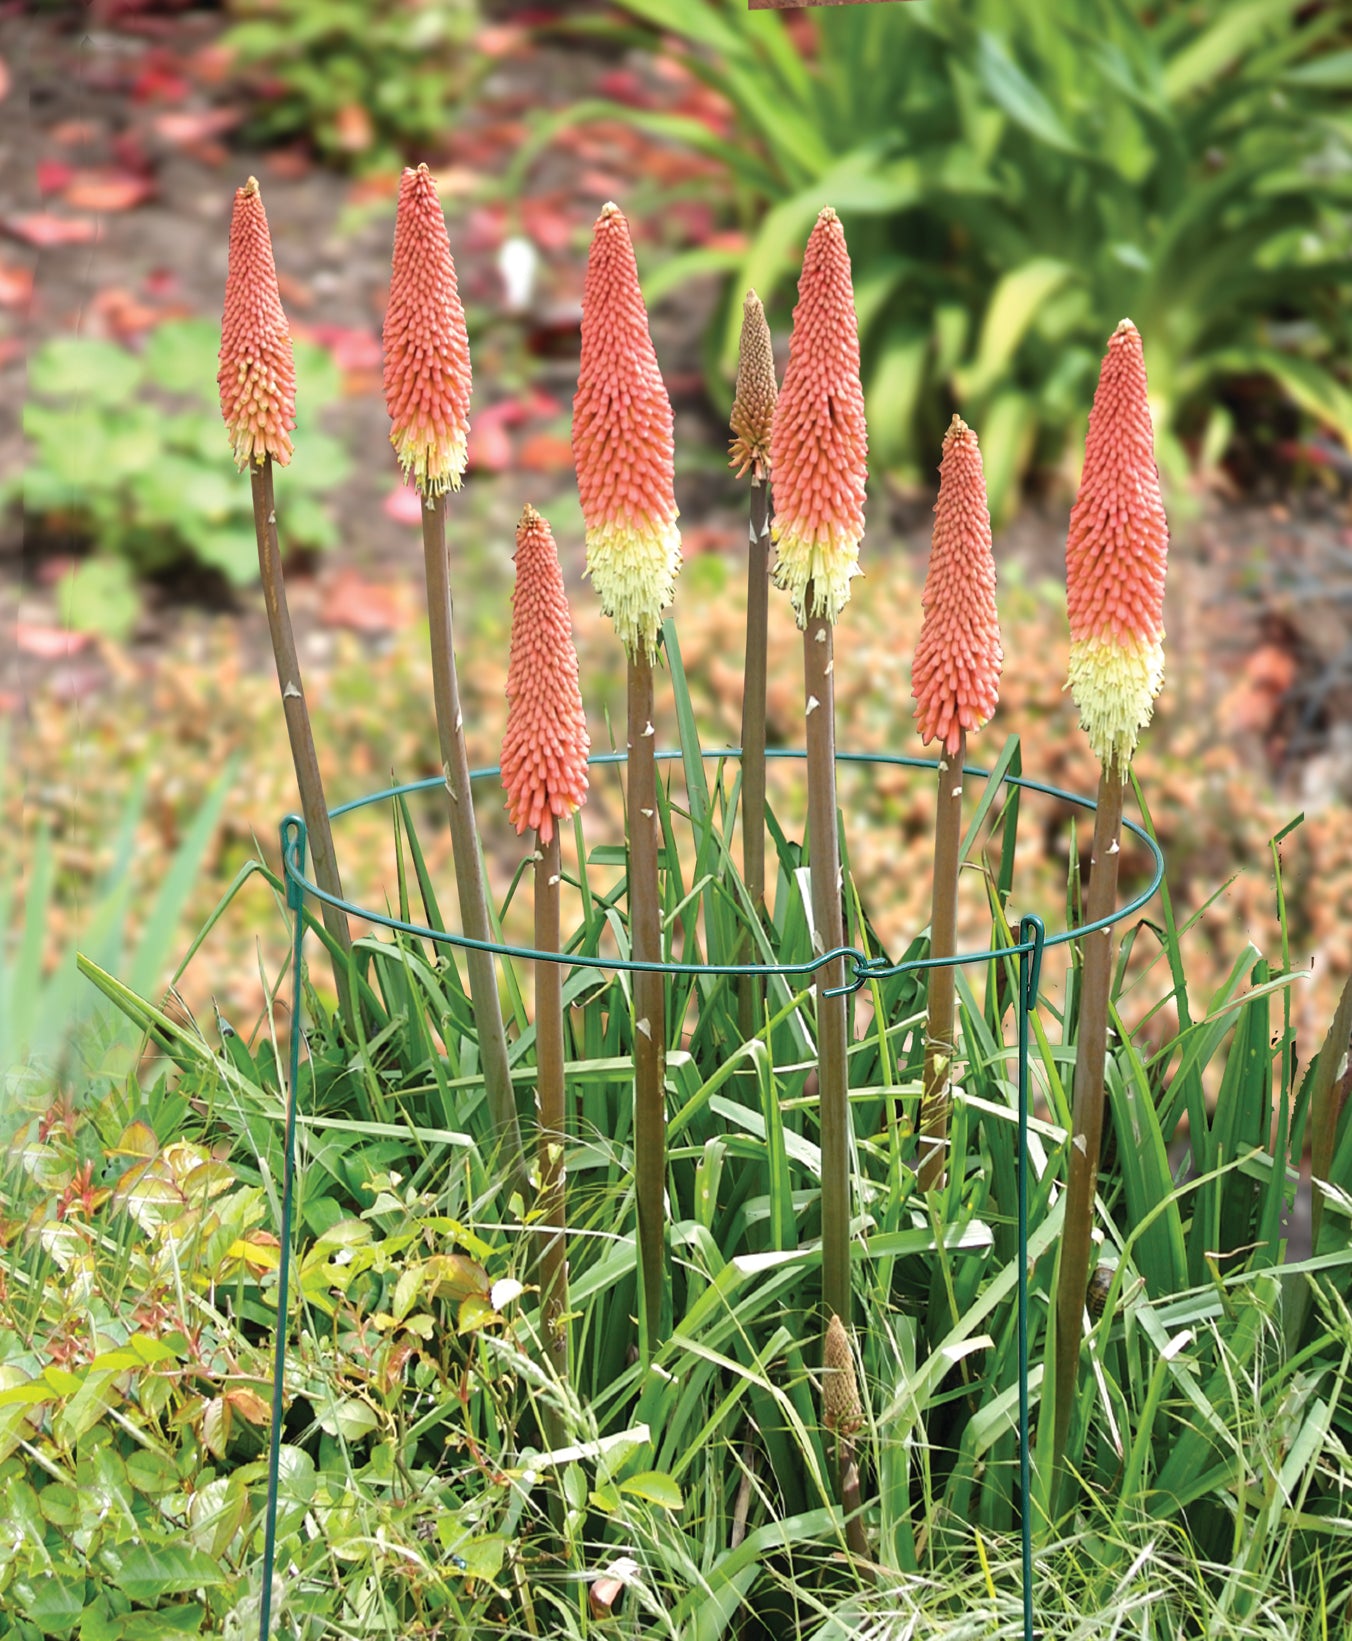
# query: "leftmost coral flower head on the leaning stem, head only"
{"points": [[257, 375]]}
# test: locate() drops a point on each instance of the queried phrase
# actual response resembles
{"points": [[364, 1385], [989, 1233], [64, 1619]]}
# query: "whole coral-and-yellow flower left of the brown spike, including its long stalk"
{"points": [[624, 454]]}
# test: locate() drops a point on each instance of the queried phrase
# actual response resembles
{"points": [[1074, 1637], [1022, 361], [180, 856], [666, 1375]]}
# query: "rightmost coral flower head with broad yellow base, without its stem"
{"points": [[1115, 560]]}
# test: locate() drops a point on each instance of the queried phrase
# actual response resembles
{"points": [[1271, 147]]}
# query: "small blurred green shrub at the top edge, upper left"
{"points": [[365, 85]]}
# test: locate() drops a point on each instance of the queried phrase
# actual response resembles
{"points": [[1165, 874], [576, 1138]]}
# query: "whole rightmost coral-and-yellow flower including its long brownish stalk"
{"points": [[1117, 555]]}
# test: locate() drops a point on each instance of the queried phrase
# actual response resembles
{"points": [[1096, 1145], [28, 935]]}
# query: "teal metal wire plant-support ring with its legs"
{"points": [[1030, 949]]}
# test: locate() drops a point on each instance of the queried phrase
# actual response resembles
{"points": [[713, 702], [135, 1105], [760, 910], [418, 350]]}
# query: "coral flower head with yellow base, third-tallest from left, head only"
{"points": [[624, 446]]}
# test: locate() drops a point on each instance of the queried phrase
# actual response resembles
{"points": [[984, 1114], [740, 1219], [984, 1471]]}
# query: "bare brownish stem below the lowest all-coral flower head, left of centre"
{"points": [[549, 1086]]}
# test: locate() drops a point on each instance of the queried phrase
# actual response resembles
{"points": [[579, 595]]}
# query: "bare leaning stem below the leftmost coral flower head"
{"points": [[299, 731]]}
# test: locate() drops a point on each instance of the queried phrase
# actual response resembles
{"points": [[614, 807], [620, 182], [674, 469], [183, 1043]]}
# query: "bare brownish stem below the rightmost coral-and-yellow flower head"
{"points": [[1087, 1110]]}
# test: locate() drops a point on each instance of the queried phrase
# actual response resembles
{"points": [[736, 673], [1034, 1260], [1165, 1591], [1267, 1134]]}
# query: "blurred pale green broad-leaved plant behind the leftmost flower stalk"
{"points": [[129, 454]]}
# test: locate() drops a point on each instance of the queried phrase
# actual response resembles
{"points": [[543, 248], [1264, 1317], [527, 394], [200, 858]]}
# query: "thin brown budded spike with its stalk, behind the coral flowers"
{"points": [[752, 426]]}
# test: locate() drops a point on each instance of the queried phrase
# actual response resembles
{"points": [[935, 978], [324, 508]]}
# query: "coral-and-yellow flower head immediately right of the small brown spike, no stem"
{"points": [[820, 449]]}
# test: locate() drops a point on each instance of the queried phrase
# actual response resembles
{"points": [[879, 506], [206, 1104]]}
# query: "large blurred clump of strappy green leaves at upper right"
{"points": [[1015, 180]]}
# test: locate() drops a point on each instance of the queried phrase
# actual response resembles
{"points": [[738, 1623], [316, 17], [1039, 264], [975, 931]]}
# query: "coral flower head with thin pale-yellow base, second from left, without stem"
{"points": [[427, 349]]}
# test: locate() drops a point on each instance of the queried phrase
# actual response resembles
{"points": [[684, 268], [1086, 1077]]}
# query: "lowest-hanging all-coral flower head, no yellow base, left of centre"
{"points": [[546, 747]]}
